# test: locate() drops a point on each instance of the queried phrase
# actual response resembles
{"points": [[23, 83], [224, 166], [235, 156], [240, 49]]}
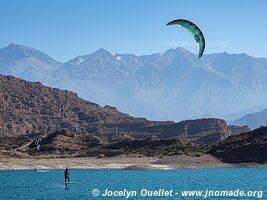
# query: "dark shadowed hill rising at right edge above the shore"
{"points": [[243, 148]]}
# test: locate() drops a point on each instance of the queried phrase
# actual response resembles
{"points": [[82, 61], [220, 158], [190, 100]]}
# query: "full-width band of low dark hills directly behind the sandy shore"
{"points": [[247, 147]]}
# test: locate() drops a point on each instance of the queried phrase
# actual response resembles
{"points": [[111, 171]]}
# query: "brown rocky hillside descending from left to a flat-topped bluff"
{"points": [[31, 109]]}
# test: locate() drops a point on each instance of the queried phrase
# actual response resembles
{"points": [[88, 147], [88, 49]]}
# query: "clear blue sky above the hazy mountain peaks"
{"points": [[65, 29]]}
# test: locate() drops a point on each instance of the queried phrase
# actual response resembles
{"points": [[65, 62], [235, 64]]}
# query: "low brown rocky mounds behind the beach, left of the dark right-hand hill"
{"points": [[65, 143]]}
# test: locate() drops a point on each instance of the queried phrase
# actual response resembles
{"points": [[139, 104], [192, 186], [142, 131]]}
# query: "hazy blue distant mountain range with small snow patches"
{"points": [[174, 85]]}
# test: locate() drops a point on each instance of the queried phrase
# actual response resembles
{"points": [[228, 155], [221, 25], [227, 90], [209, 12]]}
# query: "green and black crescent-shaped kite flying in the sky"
{"points": [[194, 30]]}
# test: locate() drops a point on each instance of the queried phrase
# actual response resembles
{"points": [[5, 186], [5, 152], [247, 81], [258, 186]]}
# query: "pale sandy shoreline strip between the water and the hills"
{"points": [[122, 162]]}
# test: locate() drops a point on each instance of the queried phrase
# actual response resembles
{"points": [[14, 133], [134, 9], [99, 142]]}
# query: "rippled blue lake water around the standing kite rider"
{"points": [[48, 185]]}
